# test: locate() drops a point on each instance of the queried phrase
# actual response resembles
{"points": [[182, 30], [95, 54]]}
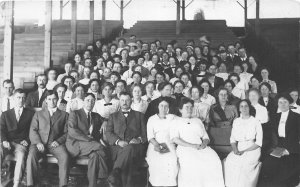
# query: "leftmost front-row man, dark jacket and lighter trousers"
{"points": [[15, 124]]}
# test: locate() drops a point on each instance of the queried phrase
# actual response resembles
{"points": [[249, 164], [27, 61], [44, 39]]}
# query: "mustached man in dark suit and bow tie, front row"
{"points": [[126, 135]]}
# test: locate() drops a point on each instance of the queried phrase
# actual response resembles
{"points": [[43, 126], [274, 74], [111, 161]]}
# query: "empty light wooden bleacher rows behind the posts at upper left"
{"points": [[29, 47]]}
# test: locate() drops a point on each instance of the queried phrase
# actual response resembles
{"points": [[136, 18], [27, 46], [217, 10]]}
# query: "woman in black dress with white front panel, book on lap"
{"points": [[281, 167]]}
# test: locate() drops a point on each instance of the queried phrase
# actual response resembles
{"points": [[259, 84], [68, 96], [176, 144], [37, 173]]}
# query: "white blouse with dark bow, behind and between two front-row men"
{"points": [[105, 109]]}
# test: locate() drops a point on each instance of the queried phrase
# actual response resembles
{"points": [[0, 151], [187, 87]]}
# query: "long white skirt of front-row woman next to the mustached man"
{"points": [[163, 168]]}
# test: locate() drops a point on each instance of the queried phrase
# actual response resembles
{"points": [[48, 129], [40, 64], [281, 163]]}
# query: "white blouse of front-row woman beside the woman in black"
{"points": [[246, 130]]}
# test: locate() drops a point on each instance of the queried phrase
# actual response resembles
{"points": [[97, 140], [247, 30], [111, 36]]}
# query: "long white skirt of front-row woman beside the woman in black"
{"points": [[242, 170]]}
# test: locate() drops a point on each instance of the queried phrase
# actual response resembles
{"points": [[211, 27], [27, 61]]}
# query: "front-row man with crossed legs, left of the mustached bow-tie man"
{"points": [[83, 139]]}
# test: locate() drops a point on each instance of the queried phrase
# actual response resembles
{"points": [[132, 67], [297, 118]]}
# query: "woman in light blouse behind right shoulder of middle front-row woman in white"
{"points": [[200, 110]]}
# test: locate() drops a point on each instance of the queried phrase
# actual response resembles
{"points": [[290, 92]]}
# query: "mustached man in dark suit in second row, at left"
{"points": [[36, 98]]}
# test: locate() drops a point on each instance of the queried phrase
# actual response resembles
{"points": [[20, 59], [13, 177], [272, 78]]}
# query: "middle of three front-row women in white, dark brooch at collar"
{"points": [[200, 166]]}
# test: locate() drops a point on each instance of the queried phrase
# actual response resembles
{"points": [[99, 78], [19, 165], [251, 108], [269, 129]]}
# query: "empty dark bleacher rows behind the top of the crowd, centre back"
{"points": [[149, 31]]}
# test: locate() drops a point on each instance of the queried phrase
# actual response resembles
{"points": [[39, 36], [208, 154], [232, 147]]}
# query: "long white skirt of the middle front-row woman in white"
{"points": [[199, 168]]}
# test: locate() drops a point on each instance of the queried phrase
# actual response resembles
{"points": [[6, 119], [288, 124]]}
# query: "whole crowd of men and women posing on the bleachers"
{"points": [[121, 104]]}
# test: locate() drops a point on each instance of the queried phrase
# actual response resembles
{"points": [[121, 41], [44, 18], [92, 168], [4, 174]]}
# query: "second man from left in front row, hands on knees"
{"points": [[48, 132]]}
